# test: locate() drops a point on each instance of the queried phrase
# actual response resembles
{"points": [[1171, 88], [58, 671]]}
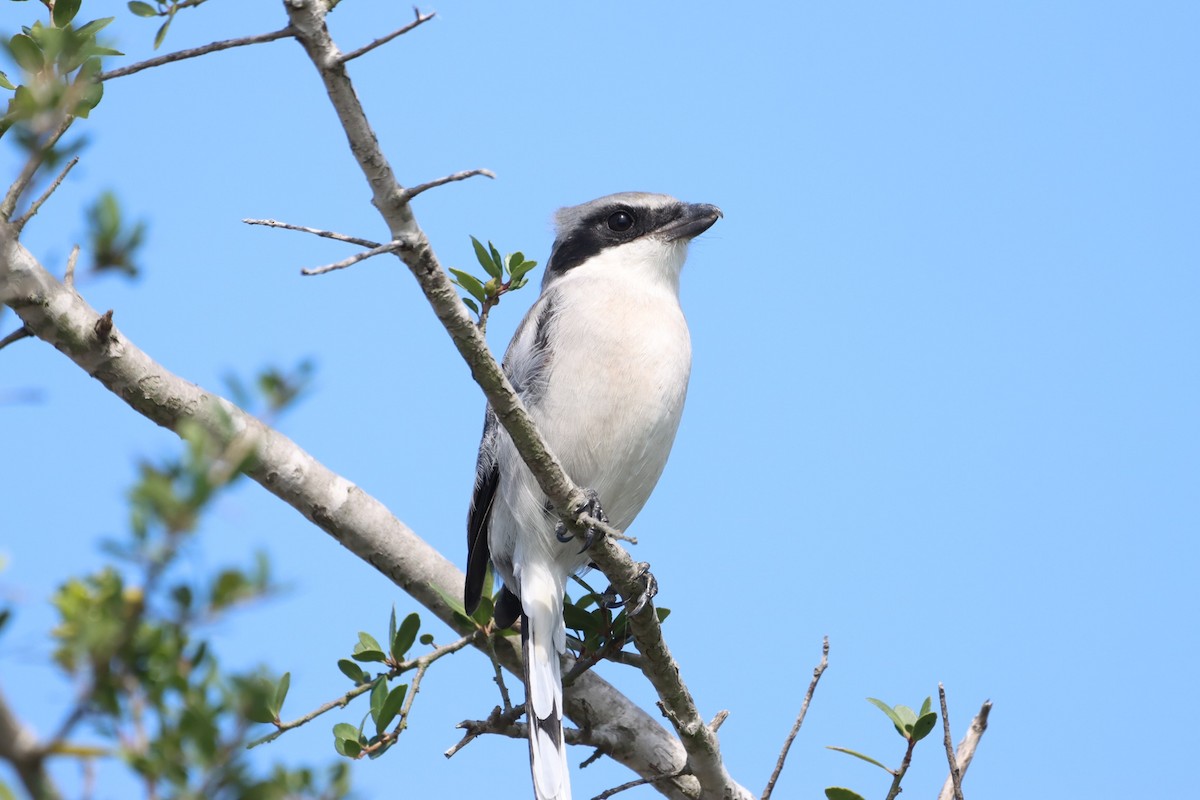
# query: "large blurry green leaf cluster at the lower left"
{"points": [[133, 635]]}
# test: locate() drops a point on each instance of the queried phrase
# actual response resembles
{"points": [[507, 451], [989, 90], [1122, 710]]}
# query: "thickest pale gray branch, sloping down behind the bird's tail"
{"points": [[364, 526]]}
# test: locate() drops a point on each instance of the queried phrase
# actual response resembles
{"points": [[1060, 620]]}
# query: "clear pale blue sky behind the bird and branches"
{"points": [[945, 395]]}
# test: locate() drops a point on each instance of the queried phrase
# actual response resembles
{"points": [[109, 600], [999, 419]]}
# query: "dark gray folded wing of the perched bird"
{"points": [[527, 366]]}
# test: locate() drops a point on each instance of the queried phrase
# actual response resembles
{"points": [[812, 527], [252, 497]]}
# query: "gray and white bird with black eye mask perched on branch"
{"points": [[602, 364]]}
